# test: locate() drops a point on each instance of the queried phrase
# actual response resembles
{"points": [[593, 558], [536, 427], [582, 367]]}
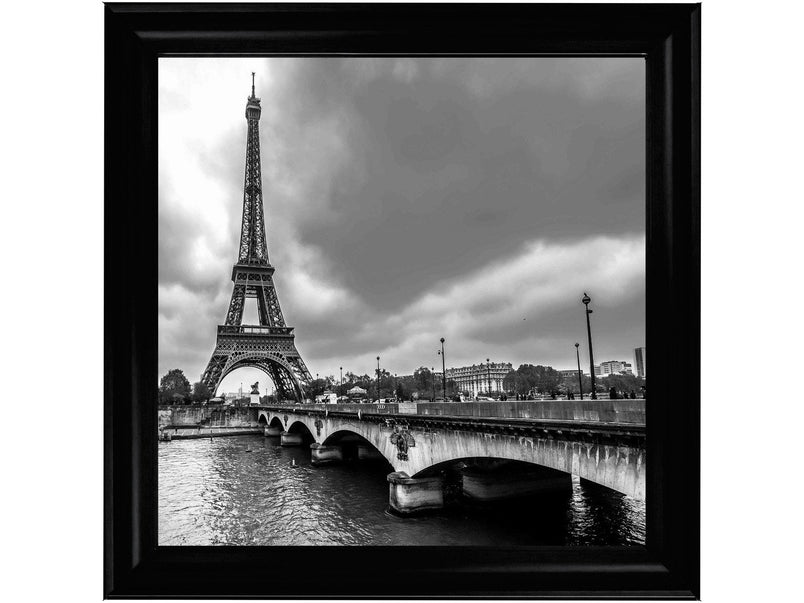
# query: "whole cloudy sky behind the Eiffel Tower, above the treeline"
{"points": [[408, 200]]}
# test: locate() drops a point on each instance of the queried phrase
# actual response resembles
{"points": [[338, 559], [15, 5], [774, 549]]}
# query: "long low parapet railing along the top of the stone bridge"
{"points": [[602, 411]]}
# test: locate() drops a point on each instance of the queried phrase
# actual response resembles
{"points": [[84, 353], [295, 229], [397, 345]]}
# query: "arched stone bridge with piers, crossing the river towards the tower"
{"points": [[498, 449]]}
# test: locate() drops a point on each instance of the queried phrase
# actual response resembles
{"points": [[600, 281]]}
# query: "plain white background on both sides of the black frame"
{"points": [[52, 145]]}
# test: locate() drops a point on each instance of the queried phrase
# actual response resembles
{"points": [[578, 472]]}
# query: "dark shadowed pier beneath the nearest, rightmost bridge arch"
{"points": [[492, 486]]}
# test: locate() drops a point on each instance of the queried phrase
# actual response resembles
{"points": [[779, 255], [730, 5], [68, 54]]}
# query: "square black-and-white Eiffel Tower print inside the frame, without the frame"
{"points": [[418, 206]]}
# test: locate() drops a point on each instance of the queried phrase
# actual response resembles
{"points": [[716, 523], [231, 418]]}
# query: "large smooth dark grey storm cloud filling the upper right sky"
{"points": [[458, 179]]}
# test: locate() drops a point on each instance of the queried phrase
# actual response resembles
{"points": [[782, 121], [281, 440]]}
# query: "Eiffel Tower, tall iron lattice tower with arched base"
{"points": [[270, 345]]}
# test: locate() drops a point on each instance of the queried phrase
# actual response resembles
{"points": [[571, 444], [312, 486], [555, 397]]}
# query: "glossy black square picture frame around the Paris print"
{"points": [[669, 38]]}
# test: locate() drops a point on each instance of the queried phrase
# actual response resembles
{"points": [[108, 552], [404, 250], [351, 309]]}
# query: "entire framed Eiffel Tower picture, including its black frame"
{"points": [[390, 275]]}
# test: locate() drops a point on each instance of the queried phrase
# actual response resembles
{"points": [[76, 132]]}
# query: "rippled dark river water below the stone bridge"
{"points": [[246, 490]]}
